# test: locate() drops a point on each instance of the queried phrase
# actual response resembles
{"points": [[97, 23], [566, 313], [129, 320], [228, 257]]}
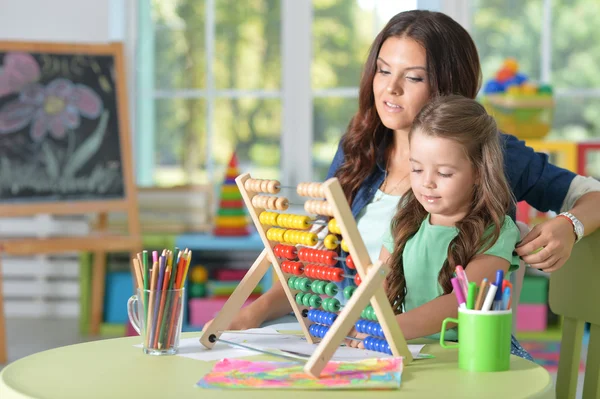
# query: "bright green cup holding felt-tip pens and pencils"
{"points": [[483, 339]]}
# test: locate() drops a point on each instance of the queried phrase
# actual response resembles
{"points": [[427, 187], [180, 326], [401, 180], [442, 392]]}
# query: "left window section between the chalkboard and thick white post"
{"points": [[215, 89]]}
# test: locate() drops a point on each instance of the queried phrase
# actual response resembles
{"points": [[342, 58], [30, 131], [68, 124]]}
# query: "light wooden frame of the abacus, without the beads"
{"points": [[370, 290]]}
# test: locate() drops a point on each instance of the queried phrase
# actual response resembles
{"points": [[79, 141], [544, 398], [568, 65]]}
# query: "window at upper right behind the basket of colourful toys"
{"points": [[554, 41]]}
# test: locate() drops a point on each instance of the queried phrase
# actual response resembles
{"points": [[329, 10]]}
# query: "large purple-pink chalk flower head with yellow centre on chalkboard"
{"points": [[54, 108]]}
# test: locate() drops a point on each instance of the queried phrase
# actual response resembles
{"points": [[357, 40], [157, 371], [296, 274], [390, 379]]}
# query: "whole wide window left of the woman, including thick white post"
{"points": [[215, 75]]}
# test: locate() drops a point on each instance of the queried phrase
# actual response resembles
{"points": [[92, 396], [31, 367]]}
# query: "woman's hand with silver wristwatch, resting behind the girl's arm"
{"points": [[555, 237]]}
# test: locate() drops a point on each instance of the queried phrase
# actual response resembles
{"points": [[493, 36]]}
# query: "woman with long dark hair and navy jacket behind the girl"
{"points": [[419, 55]]}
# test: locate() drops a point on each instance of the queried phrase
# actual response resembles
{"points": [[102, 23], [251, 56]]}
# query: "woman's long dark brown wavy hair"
{"points": [[452, 66]]}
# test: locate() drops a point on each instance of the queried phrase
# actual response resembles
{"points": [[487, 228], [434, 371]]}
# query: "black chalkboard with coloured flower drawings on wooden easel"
{"points": [[60, 128]]}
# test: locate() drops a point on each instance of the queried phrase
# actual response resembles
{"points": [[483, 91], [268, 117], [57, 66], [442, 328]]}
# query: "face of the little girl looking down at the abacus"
{"points": [[442, 177]]}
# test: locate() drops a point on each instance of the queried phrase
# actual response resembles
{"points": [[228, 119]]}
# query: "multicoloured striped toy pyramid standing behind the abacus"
{"points": [[231, 218]]}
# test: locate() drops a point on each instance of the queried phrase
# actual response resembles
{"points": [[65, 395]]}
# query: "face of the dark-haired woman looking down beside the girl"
{"points": [[400, 84]]}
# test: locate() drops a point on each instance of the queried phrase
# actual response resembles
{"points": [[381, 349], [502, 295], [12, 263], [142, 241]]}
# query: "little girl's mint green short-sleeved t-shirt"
{"points": [[425, 254]]}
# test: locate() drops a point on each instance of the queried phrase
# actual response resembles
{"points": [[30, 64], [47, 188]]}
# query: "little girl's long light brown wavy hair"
{"points": [[466, 122]]}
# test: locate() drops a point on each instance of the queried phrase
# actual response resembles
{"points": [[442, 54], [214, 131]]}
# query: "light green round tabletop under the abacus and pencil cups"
{"points": [[111, 369]]}
